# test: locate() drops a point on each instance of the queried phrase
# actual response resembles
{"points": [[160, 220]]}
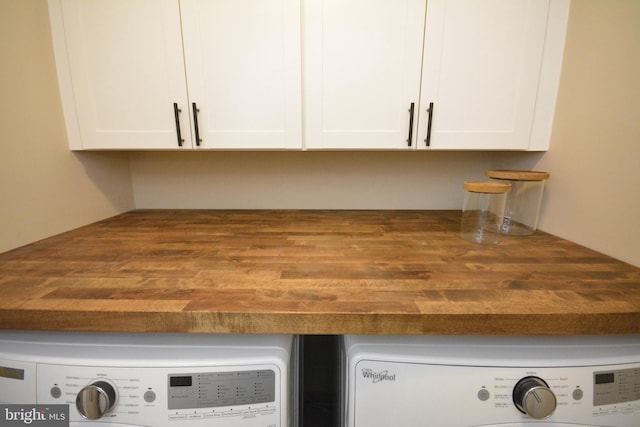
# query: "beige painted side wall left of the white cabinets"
{"points": [[45, 189]]}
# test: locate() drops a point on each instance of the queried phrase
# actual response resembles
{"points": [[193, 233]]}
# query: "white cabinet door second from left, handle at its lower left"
{"points": [[243, 71]]}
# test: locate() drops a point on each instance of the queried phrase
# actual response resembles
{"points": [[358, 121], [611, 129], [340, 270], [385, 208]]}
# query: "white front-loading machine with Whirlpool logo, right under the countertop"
{"points": [[491, 381]]}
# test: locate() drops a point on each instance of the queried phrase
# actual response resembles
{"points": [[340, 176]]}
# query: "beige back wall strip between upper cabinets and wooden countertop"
{"points": [[304, 180]]}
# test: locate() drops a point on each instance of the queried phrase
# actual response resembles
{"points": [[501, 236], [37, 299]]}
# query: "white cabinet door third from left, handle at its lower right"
{"points": [[362, 61]]}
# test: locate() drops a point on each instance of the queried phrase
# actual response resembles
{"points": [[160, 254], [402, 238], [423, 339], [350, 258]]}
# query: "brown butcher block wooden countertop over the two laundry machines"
{"points": [[312, 272]]}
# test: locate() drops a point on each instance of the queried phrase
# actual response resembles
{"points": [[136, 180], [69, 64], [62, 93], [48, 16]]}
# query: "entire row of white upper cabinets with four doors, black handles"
{"points": [[309, 74]]}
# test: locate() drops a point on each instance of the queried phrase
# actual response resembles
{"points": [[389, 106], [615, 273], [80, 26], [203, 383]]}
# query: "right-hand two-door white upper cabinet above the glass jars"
{"points": [[480, 74]]}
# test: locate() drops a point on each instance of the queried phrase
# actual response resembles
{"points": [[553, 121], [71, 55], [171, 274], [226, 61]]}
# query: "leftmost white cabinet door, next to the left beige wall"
{"points": [[121, 70]]}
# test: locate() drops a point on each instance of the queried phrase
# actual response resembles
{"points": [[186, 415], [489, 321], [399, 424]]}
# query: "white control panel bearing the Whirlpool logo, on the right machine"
{"points": [[401, 393]]}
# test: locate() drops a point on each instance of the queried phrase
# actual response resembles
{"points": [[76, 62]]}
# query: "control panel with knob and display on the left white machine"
{"points": [[165, 396]]}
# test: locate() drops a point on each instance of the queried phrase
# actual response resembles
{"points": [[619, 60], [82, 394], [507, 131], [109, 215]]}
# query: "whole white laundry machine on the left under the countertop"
{"points": [[155, 380]]}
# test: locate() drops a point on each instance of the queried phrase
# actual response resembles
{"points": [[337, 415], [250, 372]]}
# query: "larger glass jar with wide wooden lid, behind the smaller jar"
{"points": [[523, 201]]}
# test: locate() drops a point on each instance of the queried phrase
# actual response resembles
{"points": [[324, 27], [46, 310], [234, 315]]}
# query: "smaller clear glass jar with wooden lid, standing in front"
{"points": [[483, 211]]}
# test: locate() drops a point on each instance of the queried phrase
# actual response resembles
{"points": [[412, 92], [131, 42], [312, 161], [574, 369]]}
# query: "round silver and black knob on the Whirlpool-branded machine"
{"points": [[533, 397]]}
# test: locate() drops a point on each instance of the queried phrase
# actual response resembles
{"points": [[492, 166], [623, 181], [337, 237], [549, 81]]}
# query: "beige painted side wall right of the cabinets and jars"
{"points": [[593, 195]]}
